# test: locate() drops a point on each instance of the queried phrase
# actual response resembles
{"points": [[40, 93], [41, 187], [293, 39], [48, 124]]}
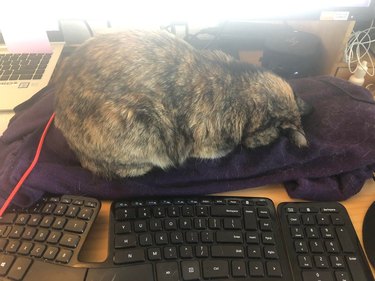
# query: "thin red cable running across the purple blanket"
{"points": [[29, 169]]}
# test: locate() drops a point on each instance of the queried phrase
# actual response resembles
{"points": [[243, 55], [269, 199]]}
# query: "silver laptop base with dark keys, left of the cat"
{"points": [[23, 75]]}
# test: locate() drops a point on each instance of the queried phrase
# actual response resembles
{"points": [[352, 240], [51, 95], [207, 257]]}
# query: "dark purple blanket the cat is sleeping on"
{"points": [[340, 157]]}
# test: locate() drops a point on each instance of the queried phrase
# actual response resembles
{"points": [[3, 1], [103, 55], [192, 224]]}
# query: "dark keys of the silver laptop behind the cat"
{"points": [[23, 66]]}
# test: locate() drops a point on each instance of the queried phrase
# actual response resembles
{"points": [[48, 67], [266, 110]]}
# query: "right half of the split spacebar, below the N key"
{"points": [[141, 272]]}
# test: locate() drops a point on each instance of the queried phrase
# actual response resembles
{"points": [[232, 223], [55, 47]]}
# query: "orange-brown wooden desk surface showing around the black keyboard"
{"points": [[95, 250]]}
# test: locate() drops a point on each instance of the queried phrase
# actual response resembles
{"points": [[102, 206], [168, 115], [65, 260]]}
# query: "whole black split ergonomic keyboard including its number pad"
{"points": [[189, 238]]}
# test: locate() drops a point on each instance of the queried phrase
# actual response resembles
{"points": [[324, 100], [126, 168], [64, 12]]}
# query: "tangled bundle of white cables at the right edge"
{"points": [[358, 47]]}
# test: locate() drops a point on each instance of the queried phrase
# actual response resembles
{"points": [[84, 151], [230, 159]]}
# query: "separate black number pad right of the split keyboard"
{"points": [[321, 242]]}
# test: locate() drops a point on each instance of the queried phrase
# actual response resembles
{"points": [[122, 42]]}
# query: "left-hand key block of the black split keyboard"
{"points": [[46, 236]]}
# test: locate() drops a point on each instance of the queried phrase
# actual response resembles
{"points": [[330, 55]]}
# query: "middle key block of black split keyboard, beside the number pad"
{"points": [[199, 238]]}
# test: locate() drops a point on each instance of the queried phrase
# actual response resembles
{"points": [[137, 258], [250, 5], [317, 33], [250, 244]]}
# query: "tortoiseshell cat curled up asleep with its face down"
{"points": [[131, 101]]}
